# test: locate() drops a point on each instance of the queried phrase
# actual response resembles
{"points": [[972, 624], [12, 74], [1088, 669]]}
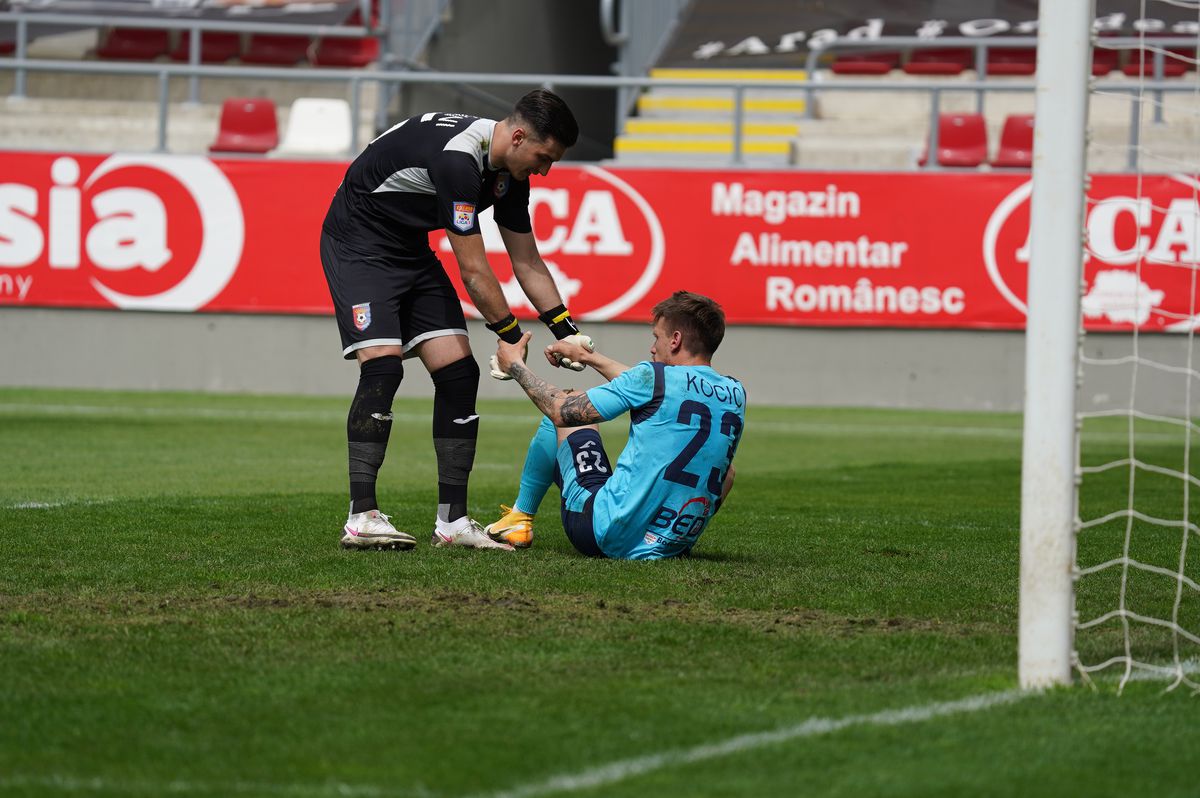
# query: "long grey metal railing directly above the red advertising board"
{"points": [[356, 79]]}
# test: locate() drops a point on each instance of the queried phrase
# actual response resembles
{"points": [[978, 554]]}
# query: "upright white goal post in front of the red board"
{"points": [[1052, 352]]}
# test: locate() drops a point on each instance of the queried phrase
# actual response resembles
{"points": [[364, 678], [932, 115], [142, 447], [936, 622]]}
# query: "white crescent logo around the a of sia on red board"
{"points": [[154, 260]]}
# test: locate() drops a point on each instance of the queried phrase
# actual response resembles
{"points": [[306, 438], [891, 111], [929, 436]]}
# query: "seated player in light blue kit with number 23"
{"points": [[676, 471]]}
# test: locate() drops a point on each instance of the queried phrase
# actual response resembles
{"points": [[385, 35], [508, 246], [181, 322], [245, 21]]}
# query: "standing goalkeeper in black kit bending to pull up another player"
{"points": [[393, 298]]}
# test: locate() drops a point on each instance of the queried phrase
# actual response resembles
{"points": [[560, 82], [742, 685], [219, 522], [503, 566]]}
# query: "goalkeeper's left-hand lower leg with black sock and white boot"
{"points": [[368, 430]]}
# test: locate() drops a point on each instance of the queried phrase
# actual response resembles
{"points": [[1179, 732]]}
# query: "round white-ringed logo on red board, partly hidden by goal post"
{"points": [[1142, 249]]}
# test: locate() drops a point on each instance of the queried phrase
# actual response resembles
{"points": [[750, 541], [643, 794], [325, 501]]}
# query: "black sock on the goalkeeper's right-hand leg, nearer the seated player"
{"points": [[455, 430]]}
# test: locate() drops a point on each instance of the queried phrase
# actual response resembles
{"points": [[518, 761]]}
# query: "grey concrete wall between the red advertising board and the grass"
{"points": [[292, 355]]}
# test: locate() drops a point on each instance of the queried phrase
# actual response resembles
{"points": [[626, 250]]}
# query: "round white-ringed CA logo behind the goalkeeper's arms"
{"points": [[601, 239]]}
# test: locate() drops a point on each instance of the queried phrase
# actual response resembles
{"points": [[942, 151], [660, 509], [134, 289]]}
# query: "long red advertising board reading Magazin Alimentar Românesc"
{"points": [[915, 250]]}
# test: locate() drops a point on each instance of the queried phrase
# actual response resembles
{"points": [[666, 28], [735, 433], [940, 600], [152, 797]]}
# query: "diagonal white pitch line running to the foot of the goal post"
{"points": [[626, 770]]}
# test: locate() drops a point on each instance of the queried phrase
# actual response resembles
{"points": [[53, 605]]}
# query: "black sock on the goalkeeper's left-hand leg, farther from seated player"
{"points": [[369, 425]]}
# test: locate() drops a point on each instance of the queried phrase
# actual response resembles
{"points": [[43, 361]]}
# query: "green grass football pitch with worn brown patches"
{"points": [[177, 619]]}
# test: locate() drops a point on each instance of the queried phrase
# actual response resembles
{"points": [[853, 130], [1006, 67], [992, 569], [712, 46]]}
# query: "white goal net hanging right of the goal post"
{"points": [[1137, 538]]}
